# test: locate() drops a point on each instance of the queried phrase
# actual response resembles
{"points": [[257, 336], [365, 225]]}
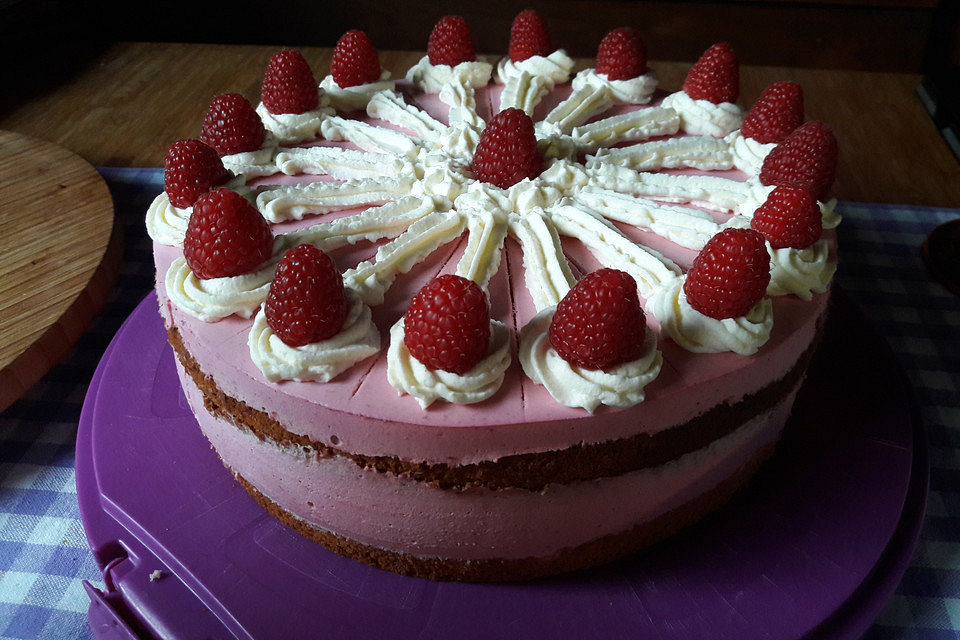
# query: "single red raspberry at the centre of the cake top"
{"points": [[507, 152]]}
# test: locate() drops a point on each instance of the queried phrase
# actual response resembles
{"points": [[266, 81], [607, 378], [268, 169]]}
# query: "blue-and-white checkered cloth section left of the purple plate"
{"points": [[44, 557]]}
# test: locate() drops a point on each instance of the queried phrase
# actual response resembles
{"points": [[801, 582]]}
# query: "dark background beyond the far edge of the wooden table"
{"points": [[45, 40]]}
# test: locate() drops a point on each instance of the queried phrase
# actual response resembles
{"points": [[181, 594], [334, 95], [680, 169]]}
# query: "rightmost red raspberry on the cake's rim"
{"points": [[806, 158]]}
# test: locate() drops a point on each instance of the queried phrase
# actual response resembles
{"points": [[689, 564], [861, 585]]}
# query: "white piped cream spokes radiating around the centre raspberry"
{"points": [[414, 179]]}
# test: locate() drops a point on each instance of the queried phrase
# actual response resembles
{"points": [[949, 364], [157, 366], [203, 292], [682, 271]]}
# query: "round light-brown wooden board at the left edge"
{"points": [[59, 256]]}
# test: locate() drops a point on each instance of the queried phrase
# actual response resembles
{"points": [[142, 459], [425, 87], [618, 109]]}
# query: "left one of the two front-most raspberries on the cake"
{"points": [[448, 324]]}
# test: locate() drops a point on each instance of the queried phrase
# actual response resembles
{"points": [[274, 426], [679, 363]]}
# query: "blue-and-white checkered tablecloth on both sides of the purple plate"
{"points": [[44, 556]]}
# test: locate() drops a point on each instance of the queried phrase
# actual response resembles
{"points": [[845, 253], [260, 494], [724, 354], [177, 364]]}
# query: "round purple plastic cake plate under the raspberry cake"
{"points": [[813, 547]]}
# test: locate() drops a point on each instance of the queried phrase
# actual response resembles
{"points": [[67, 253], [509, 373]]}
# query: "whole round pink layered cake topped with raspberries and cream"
{"points": [[596, 418]]}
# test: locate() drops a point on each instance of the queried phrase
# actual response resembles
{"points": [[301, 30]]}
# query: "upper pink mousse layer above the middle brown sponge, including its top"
{"points": [[362, 413]]}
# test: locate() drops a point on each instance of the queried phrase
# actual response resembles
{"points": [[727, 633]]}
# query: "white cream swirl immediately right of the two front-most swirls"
{"points": [[700, 333]]}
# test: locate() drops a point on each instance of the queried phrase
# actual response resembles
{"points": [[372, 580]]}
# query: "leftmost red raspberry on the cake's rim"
{"points": [[190, 169]]}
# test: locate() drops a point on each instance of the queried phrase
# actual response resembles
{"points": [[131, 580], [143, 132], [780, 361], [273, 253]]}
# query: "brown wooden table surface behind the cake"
{"points": [[137, 98]]}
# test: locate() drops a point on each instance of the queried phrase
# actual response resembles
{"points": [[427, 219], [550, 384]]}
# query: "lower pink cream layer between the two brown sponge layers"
{"points": [[406, 516]]}
